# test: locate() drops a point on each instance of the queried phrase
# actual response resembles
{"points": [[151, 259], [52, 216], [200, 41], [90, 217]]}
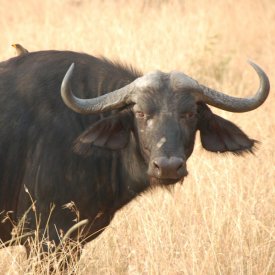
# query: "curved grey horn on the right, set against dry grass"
{"points": [[235, 104]]}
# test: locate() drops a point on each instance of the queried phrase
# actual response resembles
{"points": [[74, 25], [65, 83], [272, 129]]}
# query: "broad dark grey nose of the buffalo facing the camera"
{"points": [[169, 168]]}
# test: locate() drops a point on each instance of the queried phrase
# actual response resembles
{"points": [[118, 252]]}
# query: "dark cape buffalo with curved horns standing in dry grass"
{"points": [[110, 135]]}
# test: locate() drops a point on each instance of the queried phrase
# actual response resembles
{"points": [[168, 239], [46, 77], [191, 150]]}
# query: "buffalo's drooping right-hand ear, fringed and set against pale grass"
{"points": [[221, 135]]}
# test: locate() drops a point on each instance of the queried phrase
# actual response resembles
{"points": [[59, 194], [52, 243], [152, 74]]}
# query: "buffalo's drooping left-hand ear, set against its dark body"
{"points": [[111, 133]]}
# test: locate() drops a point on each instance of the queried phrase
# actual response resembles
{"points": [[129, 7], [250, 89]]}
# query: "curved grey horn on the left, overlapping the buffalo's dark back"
{"points": [[107, 102]]}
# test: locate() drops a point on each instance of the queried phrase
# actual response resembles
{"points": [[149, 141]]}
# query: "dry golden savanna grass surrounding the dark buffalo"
{"points": [[222, 219]]}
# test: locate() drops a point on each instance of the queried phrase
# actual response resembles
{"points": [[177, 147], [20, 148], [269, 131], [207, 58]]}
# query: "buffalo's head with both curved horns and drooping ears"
{"points": [[163, 111]]}
